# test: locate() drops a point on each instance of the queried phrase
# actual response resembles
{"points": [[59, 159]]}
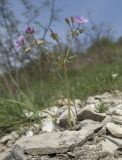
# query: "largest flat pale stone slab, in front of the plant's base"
{"points": [[56, 142]]}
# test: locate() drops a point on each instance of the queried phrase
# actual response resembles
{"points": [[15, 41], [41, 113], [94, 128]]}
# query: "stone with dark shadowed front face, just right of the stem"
{"points": [[88, 113]]}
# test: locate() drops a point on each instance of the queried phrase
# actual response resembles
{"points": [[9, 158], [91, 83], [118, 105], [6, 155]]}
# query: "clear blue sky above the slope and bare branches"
{"points": [[107, 11]]}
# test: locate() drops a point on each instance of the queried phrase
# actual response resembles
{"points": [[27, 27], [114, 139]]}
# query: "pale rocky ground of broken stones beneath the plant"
{"points": [[96, 132]]}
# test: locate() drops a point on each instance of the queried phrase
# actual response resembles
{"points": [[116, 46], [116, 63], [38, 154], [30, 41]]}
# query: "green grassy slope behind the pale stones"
{"points": [[91, 74]]}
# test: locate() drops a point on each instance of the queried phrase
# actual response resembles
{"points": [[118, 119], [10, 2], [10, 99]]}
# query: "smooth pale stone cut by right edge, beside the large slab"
{"points": [[114, 129]]}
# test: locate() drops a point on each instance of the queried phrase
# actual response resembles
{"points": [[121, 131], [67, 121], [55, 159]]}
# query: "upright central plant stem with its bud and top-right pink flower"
{"points": [[74, 24]]}
